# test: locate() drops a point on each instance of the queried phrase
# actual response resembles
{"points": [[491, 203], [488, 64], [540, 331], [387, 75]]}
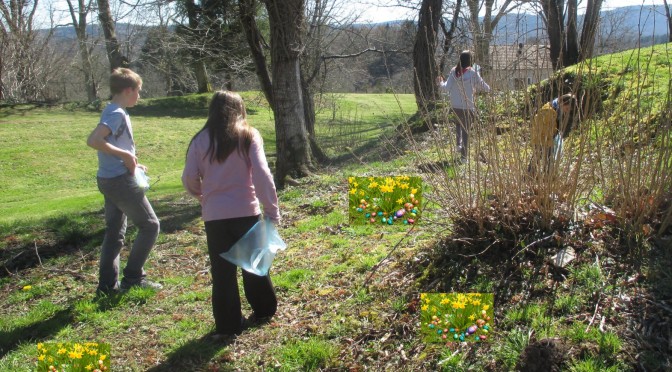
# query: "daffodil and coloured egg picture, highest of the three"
{"points": [[384, 200]]}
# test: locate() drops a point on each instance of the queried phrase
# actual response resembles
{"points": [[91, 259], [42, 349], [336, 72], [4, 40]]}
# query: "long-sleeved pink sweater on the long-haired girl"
{"points": [[233, 188]]}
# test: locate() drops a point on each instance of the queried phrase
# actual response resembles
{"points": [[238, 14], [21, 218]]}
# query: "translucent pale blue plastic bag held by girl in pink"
{"points": [[254, 252]]}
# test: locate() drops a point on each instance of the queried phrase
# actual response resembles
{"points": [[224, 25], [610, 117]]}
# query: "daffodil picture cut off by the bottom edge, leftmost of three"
{"points": [[71, 357]]}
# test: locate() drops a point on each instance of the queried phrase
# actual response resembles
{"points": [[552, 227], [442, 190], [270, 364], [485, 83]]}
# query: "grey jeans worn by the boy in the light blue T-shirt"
{"points": [[123, 198]]}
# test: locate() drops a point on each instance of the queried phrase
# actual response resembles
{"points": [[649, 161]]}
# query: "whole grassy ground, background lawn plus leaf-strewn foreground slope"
{"points": [[349, 296]]}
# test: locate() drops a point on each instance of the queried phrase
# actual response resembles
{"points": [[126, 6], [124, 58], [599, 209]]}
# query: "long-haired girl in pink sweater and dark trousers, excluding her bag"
{"points": [[226, 170]]}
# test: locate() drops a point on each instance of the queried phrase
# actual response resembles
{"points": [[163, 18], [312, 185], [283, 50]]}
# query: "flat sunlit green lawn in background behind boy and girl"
{"points": [[46, 169]]}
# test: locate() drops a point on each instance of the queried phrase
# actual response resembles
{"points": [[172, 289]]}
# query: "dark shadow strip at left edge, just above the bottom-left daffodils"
{"points": [[43, 329]]}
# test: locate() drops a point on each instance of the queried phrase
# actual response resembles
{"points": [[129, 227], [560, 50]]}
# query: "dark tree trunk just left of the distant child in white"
{"points": [[424, 56]]}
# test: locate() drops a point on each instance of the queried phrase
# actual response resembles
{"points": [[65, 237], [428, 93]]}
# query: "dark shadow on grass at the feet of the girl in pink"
{"points": [[193, 355]]}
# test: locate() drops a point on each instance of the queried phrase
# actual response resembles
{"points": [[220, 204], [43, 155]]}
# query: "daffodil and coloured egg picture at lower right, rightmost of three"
{"points": [[456, 317]]}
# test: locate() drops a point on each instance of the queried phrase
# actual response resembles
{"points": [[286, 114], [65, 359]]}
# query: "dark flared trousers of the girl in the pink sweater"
{"points": [[221, 236]]}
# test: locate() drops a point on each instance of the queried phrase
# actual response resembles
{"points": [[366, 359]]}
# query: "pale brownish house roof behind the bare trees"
{"points": [[521, 57]]}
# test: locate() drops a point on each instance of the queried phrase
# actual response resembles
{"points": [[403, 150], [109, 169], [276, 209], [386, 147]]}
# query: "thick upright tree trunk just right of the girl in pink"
{"points": [[292, 142]]}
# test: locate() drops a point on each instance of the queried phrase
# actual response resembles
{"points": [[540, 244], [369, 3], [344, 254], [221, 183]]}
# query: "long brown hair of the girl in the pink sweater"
{"points": [[227, 127]]}
